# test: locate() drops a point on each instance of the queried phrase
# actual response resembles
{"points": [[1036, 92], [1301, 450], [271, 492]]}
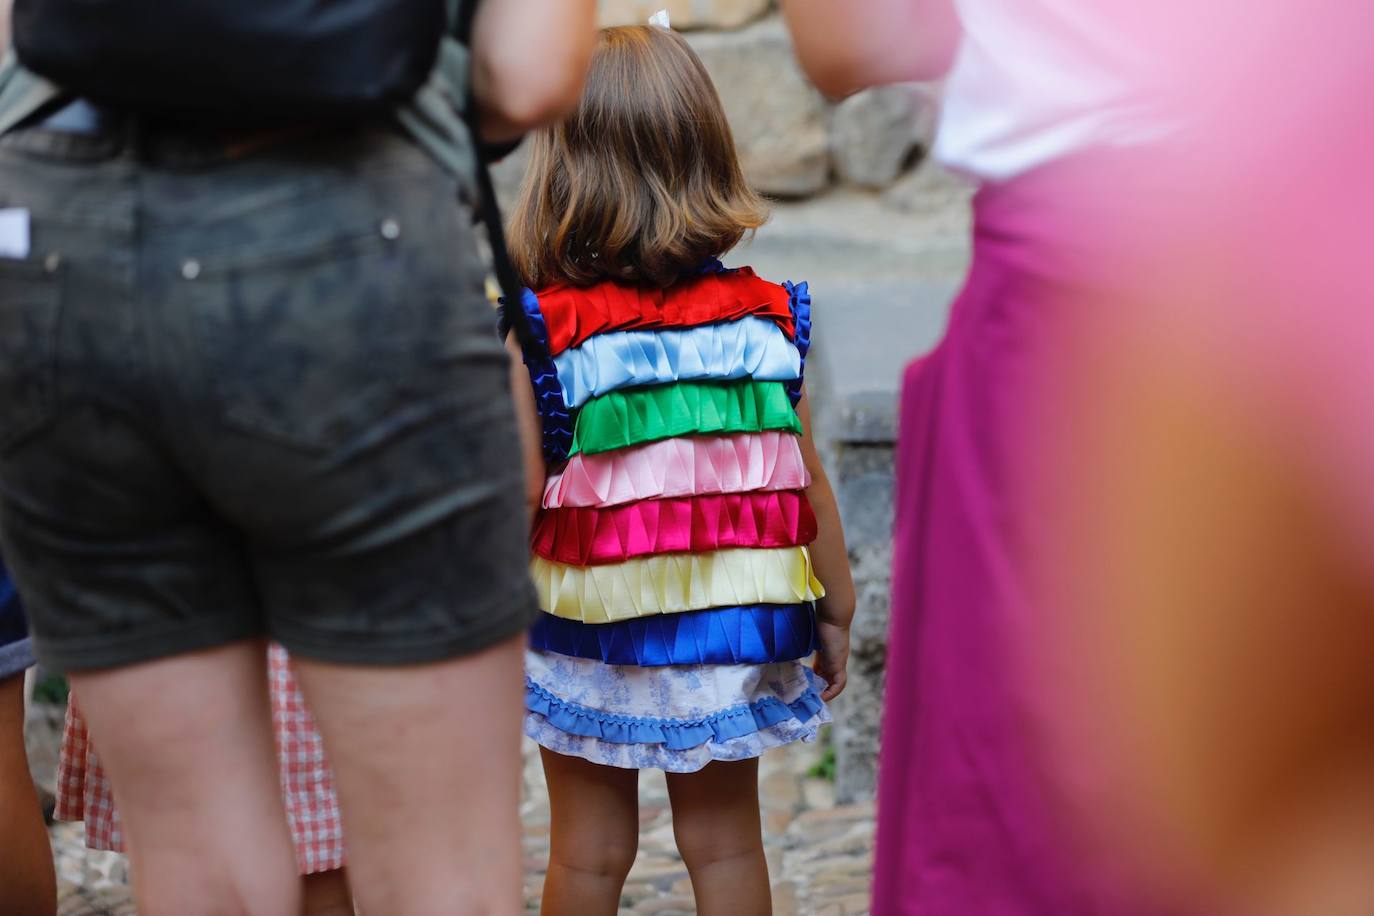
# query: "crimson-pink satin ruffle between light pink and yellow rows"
{"points": [[592, 536]]}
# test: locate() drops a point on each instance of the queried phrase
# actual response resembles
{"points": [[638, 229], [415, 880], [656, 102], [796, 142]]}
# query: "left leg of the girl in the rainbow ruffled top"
{"points": [[594, 836]]}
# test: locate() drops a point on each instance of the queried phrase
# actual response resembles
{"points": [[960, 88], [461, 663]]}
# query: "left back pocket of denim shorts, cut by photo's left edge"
{"points": [[30, 312]]}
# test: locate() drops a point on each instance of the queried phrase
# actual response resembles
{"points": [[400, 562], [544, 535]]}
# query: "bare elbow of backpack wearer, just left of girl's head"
{"points": [[530, 61]]}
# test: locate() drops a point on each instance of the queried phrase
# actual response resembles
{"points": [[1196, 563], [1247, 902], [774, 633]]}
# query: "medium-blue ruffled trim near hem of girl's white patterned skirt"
{"points": [[677, 735]]}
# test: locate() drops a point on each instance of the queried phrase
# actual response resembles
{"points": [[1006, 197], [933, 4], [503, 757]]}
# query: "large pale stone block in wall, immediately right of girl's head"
{"points": [[778, 119]]}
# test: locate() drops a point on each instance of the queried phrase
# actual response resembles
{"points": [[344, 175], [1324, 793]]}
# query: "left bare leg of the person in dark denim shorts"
{"points": [[188, 744]]}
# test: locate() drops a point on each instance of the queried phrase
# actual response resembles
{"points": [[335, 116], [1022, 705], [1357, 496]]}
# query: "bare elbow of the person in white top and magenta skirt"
{"points": [[846, 46]]}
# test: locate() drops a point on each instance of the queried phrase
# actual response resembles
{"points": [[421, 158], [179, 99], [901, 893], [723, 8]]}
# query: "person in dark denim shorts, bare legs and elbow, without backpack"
{"points": [[249, 391]]}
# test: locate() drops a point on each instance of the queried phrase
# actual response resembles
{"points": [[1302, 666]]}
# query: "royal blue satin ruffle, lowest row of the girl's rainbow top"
{"points": [[754, 635]]}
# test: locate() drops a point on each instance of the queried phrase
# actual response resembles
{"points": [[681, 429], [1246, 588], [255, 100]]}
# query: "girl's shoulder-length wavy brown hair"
{"points": [[641, 182]]}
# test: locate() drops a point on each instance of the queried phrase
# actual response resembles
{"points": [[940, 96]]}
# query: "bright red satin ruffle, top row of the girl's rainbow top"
{"points": [[576, 314]]}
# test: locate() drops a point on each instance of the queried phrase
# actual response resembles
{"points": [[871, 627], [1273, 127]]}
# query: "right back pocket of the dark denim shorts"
{"points": [[315, 347]]}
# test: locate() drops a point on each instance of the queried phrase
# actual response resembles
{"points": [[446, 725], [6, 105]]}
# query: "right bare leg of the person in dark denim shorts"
{"points": [[428, 768]]}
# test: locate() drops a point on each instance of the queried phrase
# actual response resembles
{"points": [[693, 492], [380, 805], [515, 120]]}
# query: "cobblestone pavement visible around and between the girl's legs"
{"points": [[820, 854]]}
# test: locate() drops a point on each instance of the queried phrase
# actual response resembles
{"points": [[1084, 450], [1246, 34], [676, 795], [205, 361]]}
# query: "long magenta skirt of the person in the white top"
{"points": [[976, 816]]}
